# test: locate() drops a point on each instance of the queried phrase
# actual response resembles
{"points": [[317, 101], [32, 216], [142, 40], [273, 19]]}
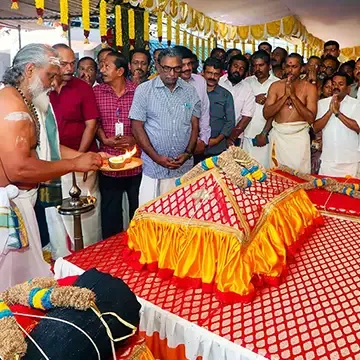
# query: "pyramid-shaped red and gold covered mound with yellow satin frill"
{"points": [[227, 227]]}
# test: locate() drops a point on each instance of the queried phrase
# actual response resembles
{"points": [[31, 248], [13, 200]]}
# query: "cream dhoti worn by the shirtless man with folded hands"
{"points": [[290, 146]]}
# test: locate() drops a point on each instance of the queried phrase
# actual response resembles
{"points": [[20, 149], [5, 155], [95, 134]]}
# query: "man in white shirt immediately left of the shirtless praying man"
{"points": [[255, 141]]}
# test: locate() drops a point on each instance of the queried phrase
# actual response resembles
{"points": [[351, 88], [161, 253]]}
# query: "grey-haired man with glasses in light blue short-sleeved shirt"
{"points": [[165, 121]]}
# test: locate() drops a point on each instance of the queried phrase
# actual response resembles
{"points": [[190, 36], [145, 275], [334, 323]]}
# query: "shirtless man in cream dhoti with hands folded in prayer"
{"points": [[293, 104]]}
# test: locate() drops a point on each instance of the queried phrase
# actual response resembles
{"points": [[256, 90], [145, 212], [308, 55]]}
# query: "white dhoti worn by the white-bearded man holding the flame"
{"points": [[20, 265]]}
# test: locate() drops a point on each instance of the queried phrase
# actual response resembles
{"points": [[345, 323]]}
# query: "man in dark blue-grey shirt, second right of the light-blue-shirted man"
{"points": [[222, 110]]}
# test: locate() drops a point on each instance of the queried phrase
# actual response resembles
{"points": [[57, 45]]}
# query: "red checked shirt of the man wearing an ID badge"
{"points": [[112, 109]]}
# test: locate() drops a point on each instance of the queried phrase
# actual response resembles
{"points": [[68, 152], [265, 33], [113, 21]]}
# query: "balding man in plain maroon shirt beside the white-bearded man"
{"points": [[76, 114]]}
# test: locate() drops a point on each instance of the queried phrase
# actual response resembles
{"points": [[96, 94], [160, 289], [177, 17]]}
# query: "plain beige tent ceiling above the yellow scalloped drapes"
{"points": [[325, 19]]}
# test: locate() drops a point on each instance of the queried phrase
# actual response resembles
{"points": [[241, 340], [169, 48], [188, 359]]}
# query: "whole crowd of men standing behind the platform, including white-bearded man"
{"points": [[59, 116]]}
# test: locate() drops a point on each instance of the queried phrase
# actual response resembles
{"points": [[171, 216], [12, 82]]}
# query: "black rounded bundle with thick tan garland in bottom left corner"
{"points": [[91, 316]]}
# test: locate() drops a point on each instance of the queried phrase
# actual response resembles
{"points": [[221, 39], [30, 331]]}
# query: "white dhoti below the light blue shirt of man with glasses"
{"points": [[151, 188]]}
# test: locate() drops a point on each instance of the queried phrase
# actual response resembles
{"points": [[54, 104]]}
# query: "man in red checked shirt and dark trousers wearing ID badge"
{"points": [[114, 98]]}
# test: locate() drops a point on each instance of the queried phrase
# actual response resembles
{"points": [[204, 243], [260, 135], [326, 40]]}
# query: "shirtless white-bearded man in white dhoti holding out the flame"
{"points": [[29, 77]]}
